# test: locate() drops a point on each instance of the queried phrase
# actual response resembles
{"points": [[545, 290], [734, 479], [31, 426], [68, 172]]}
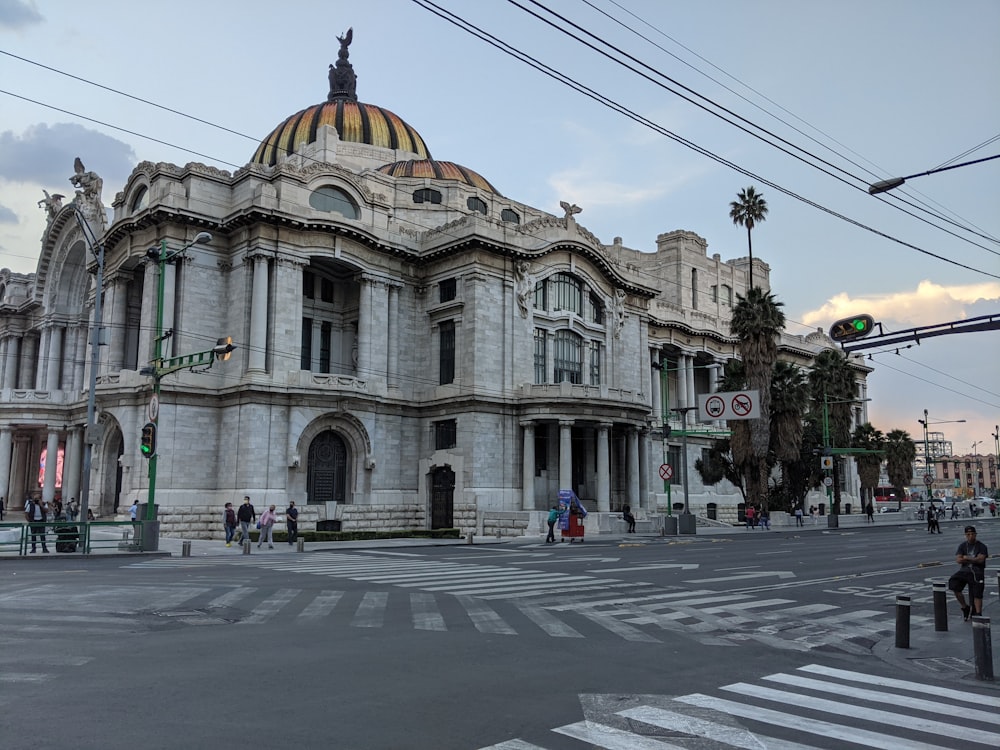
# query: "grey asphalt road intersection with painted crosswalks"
{"points": [[761, 639]]}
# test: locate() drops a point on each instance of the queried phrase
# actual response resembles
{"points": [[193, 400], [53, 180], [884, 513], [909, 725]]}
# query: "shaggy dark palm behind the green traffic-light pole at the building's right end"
{"points": [[831, 383]]}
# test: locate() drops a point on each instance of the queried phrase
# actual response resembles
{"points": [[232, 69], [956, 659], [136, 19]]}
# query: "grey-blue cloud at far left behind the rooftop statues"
{"points": [[43, 154]]}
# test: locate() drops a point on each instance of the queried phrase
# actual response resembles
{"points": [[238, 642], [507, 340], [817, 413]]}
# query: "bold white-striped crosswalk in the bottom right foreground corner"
{"points": [[813, 707]]}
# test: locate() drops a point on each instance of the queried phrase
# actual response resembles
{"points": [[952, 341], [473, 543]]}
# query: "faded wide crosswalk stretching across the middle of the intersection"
{"points": [[510, 600]]}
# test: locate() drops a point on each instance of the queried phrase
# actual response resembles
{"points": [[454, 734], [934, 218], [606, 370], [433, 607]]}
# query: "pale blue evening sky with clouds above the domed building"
{"points": [[851, 92]]}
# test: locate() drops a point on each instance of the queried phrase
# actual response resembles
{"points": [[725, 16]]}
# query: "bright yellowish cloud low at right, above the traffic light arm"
{"points": [[928, 304]]}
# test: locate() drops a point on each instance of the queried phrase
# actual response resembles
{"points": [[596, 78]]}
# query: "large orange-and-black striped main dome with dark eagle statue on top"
{"points": [[354, 121]]}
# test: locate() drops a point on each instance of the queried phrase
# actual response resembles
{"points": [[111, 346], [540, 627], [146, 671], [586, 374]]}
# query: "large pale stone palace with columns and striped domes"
{"points": [[414, 348]]}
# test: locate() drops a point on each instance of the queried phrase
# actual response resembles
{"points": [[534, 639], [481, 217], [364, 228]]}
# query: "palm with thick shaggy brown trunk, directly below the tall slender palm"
{"points": [[757, 322]]}
